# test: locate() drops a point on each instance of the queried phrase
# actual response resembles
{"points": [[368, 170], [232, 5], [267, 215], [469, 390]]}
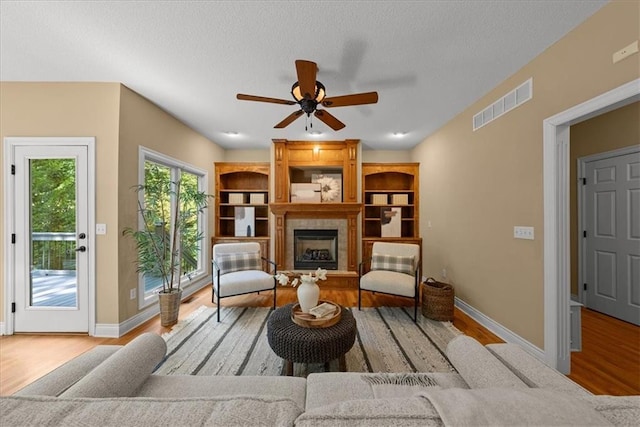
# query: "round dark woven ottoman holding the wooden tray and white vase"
{"points": [[296, 344]]}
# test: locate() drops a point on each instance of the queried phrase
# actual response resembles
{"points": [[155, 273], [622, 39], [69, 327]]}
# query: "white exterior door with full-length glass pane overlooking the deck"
{"points": [[52, 239]]}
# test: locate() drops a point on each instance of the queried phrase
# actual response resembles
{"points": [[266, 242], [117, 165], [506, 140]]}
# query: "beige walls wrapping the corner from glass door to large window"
{"points": [[121, 121]]}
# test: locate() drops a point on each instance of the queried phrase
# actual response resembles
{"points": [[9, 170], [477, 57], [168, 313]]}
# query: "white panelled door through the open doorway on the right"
{"points": [[612, 222]]}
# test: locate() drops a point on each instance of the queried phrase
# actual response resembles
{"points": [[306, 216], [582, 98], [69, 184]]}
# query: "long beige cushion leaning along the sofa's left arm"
{"points": [[123, 372]]}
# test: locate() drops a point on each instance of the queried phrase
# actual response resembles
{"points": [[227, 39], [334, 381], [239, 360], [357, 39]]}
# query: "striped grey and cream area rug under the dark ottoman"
{"points": [[387, 341]]}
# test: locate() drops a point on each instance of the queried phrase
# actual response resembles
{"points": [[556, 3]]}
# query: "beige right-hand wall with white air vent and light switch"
{"points": [[476, 186]]}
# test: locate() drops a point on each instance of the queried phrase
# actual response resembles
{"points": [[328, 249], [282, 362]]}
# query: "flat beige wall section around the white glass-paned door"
{"points": [[73, 109]]}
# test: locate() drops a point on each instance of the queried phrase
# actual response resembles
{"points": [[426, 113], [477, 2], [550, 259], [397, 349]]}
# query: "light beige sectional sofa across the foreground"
{"points": [[497, 384]]}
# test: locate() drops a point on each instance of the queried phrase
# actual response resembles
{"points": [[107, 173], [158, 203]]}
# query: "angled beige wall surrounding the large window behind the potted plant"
{"points": [[144, 124]]}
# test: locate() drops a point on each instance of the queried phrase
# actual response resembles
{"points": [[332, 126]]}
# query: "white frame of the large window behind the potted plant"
{"points": [[177, 167]]}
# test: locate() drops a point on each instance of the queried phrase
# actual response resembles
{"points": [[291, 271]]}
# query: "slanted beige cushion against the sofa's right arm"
{"points": [[478, 366]]}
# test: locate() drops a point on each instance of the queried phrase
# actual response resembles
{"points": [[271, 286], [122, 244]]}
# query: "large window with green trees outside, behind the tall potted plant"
{"points": [[167, 171]]}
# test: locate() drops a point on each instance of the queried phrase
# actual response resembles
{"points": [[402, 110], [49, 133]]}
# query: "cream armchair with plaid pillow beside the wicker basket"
{"points": [[394, 269]]}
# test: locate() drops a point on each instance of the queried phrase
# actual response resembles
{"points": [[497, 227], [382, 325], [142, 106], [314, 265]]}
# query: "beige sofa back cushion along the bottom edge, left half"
{"points": [[138, 411]]}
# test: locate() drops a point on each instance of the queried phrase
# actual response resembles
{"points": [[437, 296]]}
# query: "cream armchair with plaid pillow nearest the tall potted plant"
{"points": [[239, 268]]}
